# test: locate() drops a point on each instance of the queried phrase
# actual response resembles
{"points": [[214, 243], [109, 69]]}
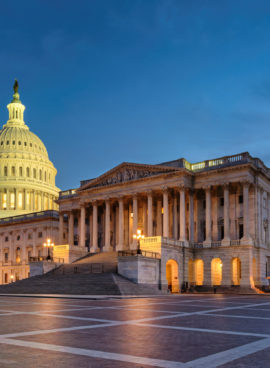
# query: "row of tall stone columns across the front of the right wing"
{"points": [[174, 213]]}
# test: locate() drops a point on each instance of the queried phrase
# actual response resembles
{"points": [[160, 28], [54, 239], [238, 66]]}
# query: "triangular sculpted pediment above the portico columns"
{"points": [[126, 172]]}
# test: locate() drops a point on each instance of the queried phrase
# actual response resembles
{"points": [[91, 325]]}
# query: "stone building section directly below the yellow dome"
{"points": [[22, 239]]}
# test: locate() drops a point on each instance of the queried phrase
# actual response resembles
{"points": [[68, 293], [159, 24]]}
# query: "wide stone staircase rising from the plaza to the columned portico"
{"points": [[93, 274]]}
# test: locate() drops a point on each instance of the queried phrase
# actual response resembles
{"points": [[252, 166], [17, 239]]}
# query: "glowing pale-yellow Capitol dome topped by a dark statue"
{"points": [[27, 176]]}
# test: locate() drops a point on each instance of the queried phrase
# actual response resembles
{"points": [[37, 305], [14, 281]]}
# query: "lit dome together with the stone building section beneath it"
{"points": [[28, 212]]}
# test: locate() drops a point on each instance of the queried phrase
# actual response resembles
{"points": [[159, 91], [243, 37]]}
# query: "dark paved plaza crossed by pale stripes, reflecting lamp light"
{"points": [[171, 331]]}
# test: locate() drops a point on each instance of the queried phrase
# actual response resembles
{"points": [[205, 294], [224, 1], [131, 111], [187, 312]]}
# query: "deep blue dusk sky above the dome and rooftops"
{"points": [[138, 80]]}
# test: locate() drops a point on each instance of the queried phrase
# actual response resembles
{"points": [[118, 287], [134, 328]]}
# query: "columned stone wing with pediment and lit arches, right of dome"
{"points": [[211, 218]]}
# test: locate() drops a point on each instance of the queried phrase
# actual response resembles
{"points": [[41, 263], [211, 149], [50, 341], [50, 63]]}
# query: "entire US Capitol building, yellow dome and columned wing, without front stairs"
{"points": [[207, 221]]}
